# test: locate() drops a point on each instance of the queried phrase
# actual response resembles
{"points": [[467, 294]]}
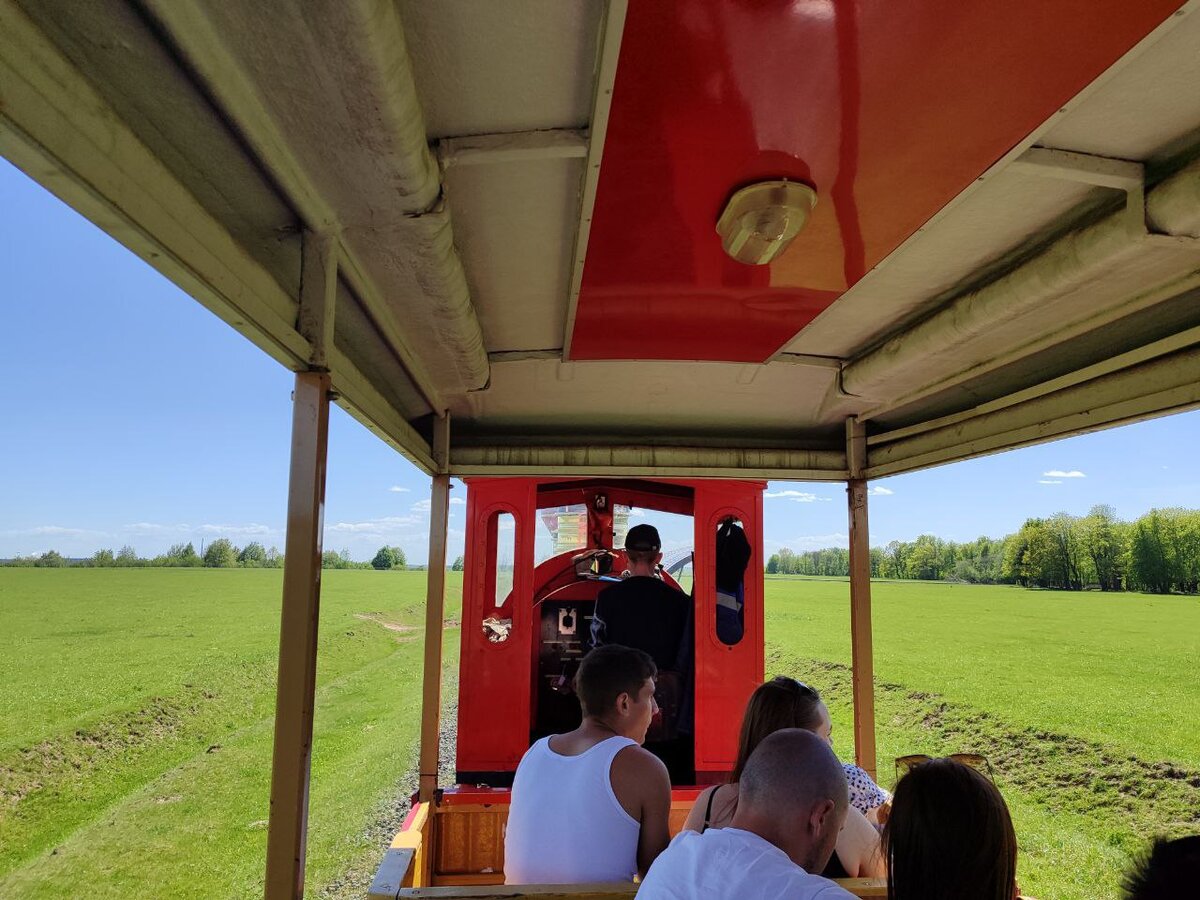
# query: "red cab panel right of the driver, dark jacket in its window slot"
{"points": [[725, 676]]}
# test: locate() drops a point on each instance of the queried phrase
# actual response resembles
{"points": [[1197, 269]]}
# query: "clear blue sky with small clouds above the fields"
{"points": [[140, 418]]}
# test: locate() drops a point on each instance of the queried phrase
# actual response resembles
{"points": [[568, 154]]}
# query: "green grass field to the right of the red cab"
{"points": [[1087, 706]]}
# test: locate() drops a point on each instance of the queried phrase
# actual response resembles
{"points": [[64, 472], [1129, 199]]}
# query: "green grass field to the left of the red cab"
{"points": [[136, 725]]}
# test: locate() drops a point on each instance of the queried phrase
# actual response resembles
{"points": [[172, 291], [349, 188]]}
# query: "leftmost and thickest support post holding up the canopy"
{"points": [[287, 830]]}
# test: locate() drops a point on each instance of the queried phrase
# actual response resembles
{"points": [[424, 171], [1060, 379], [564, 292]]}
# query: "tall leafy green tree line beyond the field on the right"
{"points": [[1157, 554]]}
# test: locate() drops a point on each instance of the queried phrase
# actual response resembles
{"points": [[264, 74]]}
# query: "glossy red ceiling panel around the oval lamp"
{"points": [[889, 110]]}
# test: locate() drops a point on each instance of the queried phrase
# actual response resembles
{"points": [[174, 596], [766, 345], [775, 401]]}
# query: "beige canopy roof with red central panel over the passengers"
{"points": [[506, 213]]}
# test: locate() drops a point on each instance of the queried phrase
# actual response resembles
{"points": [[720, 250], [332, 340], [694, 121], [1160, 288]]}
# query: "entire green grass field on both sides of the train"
{"points": [[136, 731]]}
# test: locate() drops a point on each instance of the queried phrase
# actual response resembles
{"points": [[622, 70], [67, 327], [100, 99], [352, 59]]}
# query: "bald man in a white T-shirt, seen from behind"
{"points": [[791, 805]]}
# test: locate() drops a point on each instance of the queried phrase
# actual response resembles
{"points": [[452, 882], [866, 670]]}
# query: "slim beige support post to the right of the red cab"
{"points": [[861, 598]]}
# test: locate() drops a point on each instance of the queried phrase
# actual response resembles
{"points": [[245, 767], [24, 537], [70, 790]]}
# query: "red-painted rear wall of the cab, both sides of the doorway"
{"points": [[496, 680]]}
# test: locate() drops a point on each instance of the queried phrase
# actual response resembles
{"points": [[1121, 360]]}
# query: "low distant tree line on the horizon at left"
{"points": [[221, 554]]}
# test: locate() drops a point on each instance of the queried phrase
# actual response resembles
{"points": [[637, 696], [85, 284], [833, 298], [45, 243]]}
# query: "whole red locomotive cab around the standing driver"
{"points": [[539, 551]]}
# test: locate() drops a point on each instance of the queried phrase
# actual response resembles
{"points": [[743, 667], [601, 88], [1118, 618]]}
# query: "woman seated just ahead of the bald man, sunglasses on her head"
{"points": [[787, 704]]}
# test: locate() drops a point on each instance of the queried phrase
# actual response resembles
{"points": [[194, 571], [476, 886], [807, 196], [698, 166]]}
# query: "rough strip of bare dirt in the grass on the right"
{"points": [[1132, 799]]}
